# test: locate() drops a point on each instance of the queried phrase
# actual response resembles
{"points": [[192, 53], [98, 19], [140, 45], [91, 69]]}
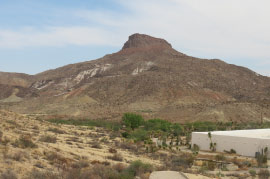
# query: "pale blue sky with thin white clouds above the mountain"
{"points": [[37, 35]]}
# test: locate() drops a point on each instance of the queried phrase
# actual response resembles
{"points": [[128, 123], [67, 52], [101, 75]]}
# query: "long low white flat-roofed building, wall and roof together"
{"points": [[244, 142]]}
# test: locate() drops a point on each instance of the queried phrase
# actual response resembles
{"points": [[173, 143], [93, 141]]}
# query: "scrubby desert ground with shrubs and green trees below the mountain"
{"points": [[129, 148]]}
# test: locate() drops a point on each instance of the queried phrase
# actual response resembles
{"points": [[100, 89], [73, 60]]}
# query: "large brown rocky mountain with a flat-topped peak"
{"points": [[146, 76]]}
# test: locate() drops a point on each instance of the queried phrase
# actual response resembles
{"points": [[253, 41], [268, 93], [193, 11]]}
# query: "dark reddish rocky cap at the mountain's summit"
{"points": [[142, 41]]}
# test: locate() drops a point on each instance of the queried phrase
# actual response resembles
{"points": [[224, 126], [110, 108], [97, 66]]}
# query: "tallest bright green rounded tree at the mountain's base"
{"points": [[132, 120]]}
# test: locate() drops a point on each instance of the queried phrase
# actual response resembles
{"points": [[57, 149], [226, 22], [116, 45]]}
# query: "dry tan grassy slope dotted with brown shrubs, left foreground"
{"points": [[58, 158]]}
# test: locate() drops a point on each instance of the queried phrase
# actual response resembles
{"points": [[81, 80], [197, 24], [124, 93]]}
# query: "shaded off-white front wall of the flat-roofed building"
{"points": [[242, 145]]}
